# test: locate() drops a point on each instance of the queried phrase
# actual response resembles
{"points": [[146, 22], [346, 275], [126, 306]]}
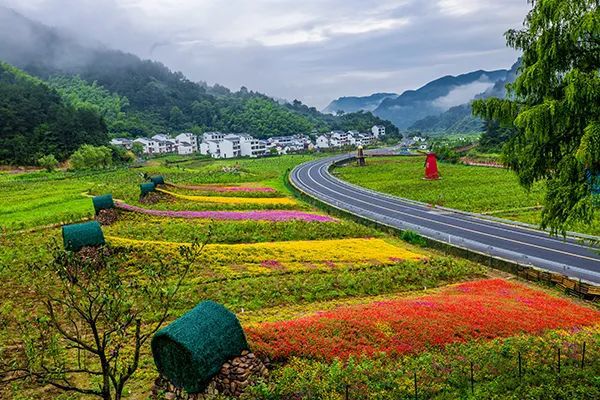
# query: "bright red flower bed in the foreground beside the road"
{"points": [[474, 310]]}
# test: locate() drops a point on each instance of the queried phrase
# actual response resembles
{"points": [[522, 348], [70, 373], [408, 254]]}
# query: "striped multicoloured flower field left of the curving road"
{"points": [[340, 307]]}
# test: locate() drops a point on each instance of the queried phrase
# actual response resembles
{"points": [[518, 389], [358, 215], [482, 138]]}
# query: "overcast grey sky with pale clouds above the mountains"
{"points": [[312, 50]]}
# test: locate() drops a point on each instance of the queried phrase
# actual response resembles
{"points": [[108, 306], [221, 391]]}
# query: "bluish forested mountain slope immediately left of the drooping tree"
{"points": [[460, 118]]}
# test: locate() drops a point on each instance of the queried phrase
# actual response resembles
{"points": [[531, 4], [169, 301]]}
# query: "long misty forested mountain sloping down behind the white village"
{"points": [[142, 97]]}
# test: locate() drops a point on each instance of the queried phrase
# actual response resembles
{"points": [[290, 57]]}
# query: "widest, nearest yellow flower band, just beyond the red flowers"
{"points": [[289, 256]]}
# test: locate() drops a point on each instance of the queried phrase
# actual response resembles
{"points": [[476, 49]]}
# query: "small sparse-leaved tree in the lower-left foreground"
{"points": [[97, 320]]}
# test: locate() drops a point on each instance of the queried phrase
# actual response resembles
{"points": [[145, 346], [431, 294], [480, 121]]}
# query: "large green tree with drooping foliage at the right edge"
{"points": [[554, 106]]}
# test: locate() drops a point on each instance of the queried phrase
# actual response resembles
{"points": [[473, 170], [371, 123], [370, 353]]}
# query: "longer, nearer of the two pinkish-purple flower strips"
{"points": [[266, 215]]}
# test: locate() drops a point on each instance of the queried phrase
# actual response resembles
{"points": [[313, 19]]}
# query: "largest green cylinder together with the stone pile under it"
{"points": [[204, 352]]}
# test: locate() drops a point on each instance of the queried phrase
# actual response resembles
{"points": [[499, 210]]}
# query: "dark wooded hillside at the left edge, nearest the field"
{"points": [[35, 120]]}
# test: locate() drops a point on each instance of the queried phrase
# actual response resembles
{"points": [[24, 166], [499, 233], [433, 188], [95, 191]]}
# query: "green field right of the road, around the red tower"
{"points": [[492, 191]]}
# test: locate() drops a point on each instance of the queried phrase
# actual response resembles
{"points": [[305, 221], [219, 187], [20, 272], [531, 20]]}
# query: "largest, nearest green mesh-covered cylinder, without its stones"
{"points": [[191, 350]]}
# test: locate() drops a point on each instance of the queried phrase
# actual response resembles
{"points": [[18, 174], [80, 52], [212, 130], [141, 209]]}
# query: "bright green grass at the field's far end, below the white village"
{"points": [[40, 198]]}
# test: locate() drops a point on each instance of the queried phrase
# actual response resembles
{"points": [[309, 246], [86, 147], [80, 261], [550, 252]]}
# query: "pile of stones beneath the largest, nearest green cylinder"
{"points": [[233, 378]]}
